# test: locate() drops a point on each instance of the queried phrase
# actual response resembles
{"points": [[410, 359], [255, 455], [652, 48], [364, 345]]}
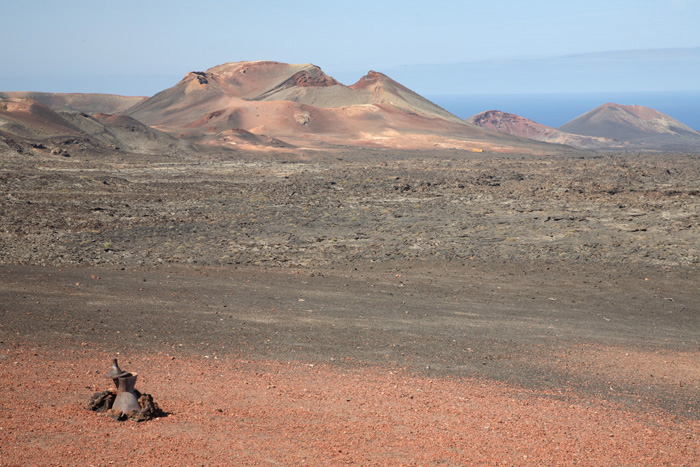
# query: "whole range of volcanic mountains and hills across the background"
{"points": [[274, 105]]}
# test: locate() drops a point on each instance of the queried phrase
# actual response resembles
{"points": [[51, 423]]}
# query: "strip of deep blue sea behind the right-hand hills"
{"points": [[556, 109]]}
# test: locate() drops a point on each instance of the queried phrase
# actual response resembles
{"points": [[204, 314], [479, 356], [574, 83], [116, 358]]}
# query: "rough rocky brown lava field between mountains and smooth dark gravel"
{"points": [[622, 209]]}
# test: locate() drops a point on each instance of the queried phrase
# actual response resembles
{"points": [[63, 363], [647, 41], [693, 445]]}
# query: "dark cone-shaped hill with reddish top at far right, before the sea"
{"points": [[640, 127]]}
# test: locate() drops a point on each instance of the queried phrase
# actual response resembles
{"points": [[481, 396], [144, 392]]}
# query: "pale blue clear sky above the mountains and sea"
{"points": [[141, 47]]}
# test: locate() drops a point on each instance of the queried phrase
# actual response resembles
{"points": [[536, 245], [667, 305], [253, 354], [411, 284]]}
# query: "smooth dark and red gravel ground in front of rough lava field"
{"points": [[277, 367]]}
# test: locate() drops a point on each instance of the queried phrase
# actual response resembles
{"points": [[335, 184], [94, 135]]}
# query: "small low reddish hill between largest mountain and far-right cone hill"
{"points": [[520, 126]]}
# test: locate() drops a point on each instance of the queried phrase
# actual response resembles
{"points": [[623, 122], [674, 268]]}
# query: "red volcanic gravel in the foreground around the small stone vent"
{"points": [[235, 412]]}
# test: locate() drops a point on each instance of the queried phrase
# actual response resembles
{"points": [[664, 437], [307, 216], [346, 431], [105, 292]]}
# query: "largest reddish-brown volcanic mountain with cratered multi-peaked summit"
{"points": [[302, 105]]}
